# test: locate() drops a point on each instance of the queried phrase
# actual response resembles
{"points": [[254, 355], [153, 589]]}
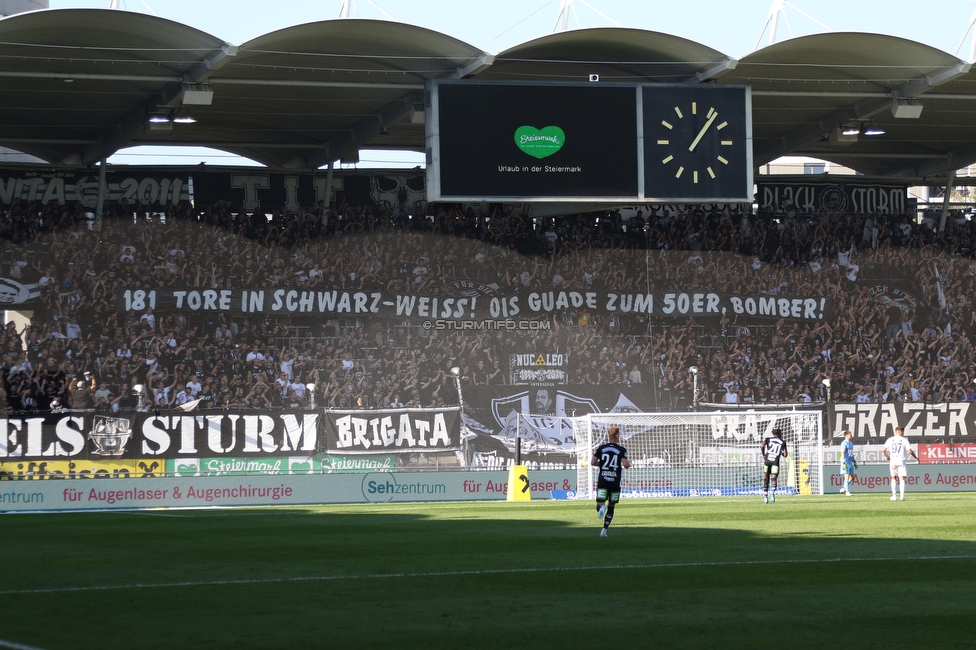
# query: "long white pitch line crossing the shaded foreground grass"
{"points": [[472, 572]]}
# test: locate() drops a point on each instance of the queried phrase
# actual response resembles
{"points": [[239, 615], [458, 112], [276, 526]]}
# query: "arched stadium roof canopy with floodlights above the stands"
{"points": [[79, 84]]}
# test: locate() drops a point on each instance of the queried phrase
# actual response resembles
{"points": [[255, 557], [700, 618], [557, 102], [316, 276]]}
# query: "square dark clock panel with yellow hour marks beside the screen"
{"points": [[697, 143]]}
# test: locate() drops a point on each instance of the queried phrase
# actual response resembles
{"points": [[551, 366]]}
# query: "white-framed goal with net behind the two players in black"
{"points": [[703, 454]]}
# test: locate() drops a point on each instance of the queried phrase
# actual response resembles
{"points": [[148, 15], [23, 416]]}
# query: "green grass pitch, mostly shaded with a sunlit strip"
{"points": [[807, 572]]}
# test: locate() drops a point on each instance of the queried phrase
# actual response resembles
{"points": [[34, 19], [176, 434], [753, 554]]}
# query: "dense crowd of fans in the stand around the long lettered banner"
{"points": [[79, 351]]}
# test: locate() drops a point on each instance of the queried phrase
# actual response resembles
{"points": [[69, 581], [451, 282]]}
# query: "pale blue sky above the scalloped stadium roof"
{"points": [[733, 28]]}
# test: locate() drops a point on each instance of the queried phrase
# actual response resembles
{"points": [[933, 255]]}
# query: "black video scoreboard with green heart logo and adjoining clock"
{"points": [[621, 143]]}
